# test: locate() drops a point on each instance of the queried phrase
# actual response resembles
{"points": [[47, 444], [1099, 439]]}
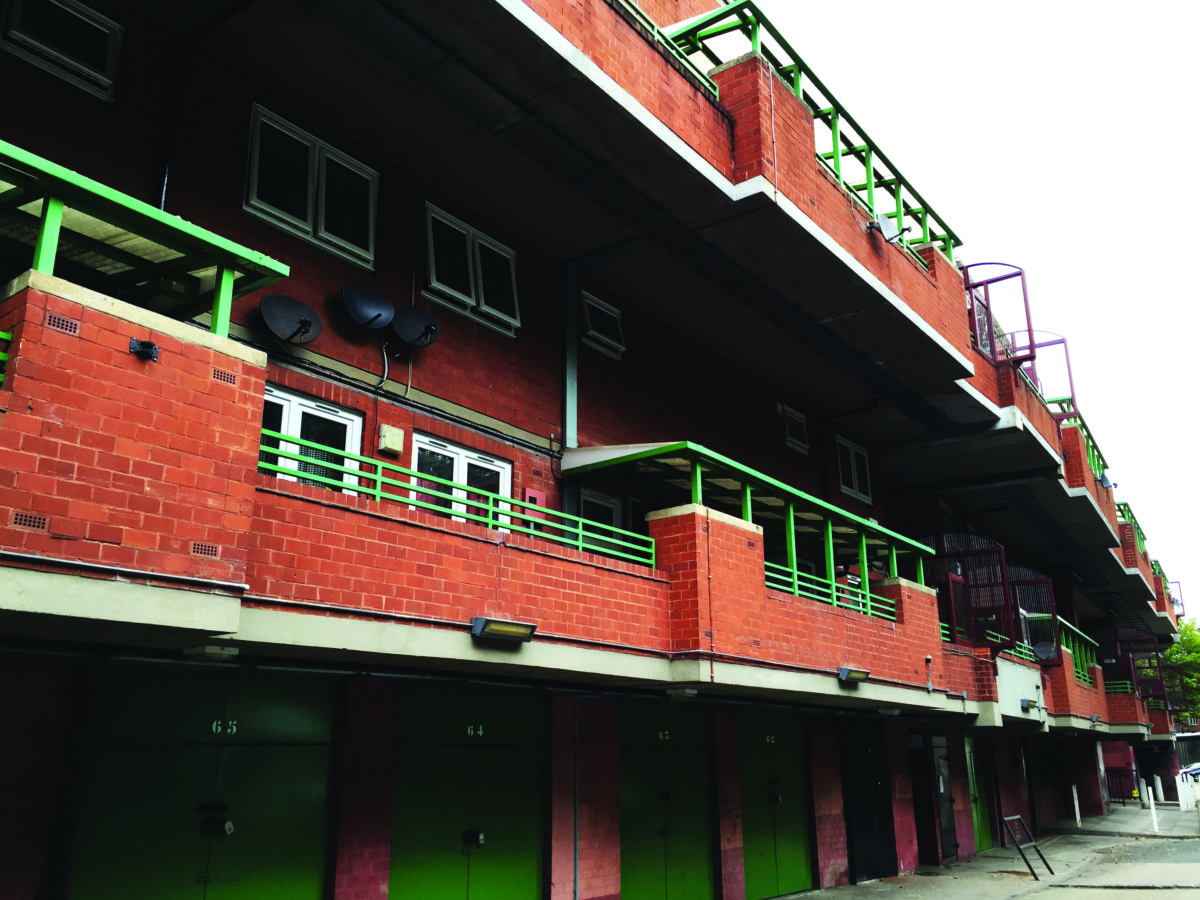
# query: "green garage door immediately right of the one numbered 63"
{"points": [[777, 809]]}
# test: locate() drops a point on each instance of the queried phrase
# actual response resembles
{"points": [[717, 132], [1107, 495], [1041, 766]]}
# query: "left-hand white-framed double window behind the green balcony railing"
{"points": [[309, 419]]}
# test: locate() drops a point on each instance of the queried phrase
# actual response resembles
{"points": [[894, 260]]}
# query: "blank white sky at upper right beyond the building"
{"points": [[1057, 136]]}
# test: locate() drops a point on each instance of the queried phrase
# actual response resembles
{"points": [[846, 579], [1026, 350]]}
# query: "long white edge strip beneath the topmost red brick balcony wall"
{"points": [[759, 185]]}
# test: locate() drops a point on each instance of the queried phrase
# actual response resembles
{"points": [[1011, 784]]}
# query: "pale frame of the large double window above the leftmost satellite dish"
{"points": [[313, 227]]}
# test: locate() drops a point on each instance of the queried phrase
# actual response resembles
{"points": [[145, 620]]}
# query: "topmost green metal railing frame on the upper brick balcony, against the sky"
{"points": [[843, 146]]}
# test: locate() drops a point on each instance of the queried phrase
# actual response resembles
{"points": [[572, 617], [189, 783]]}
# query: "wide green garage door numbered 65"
{"points": [[209, 787]]}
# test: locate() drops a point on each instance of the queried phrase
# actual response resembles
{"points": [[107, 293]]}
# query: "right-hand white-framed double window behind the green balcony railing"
{"points": [[451, 463]]}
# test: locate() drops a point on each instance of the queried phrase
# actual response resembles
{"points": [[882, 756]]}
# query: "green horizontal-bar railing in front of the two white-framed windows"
{"points": [[340, 471]]}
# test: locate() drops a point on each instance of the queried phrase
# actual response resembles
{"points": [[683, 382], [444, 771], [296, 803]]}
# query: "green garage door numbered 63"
{"points": [[667, 812]]}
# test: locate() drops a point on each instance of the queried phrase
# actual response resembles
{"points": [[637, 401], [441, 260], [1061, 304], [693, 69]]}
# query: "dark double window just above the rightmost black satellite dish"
{"points": [[471, 273]]}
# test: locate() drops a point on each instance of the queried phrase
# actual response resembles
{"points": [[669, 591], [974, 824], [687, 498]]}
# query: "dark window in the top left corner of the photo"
{"points": [[67, 39]]}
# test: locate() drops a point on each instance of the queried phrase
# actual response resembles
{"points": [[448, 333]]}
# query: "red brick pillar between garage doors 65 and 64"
{"points": [[369, 789]]}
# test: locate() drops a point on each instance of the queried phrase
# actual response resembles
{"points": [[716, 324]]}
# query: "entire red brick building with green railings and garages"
{"points": [[523, 448]]}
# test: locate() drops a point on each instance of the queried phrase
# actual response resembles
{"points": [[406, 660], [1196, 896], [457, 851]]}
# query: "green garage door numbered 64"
{"points": [[470, 796]]}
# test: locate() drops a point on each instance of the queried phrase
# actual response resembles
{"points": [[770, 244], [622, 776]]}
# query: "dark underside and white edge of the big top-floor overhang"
{"points": [[496, 109]]}
